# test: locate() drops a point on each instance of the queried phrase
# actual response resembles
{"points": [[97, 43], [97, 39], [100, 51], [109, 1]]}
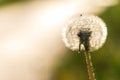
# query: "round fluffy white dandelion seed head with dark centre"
{"points": [[84, 32]]}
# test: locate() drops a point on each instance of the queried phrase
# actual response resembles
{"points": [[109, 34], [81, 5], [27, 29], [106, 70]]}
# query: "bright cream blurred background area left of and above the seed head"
{"points": [[30, 35]]}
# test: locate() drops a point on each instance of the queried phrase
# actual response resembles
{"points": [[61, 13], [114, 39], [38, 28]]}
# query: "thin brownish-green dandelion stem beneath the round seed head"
{"points": [[89, 66]]}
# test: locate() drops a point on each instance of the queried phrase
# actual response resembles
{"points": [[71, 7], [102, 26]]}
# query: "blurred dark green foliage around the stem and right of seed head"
{"points": [[106, 61]]}
